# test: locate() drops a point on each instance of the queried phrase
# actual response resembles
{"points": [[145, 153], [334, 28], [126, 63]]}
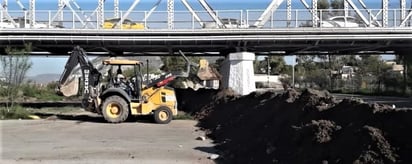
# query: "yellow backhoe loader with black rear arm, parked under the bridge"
{"points": [[115, 97]]}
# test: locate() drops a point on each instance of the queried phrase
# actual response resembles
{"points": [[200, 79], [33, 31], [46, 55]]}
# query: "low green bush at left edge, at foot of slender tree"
{"points": [[16, 112]]}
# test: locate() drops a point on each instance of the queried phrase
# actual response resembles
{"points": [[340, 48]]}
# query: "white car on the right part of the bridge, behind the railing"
{"points": [[342, 21]]}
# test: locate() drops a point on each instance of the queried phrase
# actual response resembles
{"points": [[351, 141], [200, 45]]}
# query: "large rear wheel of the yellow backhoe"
{"points": [[115, 109]]}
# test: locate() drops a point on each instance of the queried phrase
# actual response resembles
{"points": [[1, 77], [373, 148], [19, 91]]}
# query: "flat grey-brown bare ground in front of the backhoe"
{"points": [[68, 141]]}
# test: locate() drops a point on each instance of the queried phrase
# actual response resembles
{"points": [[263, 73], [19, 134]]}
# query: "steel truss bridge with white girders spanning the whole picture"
{"points": [[282, 27]]}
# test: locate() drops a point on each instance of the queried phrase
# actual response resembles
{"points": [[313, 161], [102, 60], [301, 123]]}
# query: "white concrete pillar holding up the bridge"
{"points": [[238, 73]]}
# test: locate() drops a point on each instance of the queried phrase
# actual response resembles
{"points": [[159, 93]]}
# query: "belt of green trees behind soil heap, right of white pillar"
{"points": [[362, 74]]}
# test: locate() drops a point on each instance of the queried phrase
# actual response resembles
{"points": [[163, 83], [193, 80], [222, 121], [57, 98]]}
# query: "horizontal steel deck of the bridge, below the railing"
{"points": [[285, 40]]}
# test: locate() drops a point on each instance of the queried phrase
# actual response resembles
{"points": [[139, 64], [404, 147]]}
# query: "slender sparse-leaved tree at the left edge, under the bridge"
{"points": [[14, 66]]}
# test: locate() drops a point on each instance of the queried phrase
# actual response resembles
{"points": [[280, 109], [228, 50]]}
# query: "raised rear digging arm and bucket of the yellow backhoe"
{"points": [[69, 86]]}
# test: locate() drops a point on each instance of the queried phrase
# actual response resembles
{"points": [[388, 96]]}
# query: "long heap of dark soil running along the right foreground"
{"points": [[310, 127]]}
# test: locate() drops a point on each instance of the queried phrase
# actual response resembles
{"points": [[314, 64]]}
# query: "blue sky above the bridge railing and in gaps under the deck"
{"points": [[55, 65]]}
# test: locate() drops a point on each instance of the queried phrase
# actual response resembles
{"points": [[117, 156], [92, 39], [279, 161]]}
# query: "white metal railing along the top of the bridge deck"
{"points": [[231, 19]]}
